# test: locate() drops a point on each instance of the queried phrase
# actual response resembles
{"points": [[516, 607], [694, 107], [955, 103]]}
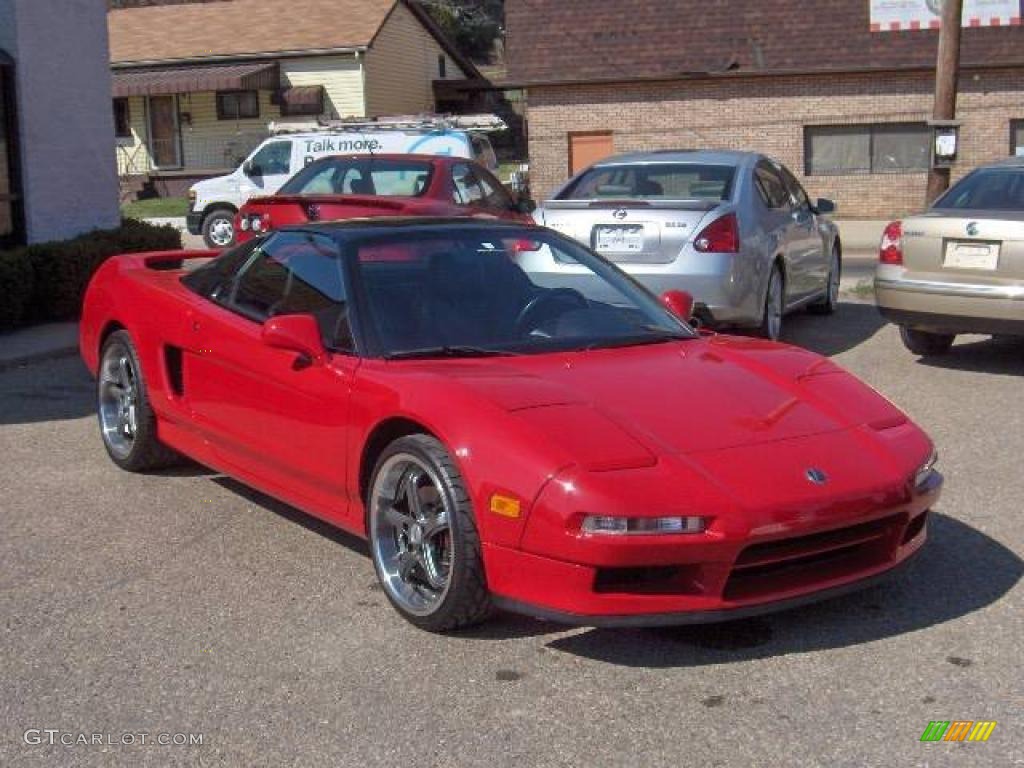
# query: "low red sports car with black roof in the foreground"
{"points": [[508, 433]]}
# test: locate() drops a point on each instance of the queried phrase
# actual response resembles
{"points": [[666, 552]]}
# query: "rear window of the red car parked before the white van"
{"points": [[400, 179]]}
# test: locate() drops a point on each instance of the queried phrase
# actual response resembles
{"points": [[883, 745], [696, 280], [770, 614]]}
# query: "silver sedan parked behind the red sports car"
{"points": [[735, 230]]}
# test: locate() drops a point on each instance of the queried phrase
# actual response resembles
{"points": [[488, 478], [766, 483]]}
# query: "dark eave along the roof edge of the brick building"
{"points": [[514, 84]]}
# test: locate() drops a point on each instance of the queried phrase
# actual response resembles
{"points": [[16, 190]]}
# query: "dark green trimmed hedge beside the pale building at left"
{"points": [[46, 282]]}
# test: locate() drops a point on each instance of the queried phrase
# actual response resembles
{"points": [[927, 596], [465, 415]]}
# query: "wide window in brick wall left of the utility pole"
{"points": [[885, 148]]}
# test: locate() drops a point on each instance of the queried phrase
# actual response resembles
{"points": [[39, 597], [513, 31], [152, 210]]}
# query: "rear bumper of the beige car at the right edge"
{"points": [[943, 307]]}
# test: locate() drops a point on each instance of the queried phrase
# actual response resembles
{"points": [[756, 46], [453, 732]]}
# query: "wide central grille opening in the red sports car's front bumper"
{"points": [[764, 570]]}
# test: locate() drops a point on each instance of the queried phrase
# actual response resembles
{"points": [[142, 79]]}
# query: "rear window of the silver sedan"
{"points": [[712, 184]]}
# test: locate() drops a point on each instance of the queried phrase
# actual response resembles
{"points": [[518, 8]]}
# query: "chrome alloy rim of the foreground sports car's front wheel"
{"points": [[411, 535]]}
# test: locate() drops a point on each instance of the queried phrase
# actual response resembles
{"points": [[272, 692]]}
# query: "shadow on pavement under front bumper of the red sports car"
{"points": [[960, 572]]}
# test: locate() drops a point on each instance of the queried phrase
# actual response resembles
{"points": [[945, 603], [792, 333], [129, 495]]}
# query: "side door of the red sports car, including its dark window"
{"points": [[279, 421]]}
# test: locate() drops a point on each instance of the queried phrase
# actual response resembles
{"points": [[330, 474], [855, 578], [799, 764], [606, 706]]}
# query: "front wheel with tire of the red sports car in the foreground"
{"points": [[423, 537]]}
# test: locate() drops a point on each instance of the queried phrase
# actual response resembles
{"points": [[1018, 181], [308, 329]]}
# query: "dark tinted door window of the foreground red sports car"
{"points": [[295, 274]]}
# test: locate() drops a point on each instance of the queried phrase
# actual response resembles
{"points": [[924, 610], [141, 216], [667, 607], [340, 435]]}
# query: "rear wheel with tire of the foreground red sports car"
{"points": [[127, 423]]}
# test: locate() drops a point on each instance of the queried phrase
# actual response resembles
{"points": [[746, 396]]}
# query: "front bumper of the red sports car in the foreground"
{"points": [[711, 579]]}
